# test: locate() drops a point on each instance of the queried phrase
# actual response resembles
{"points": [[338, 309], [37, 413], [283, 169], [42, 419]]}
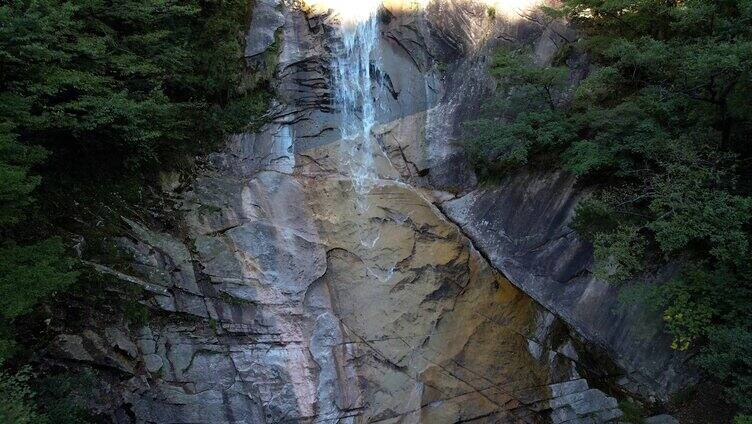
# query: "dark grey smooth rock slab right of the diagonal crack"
{"points": [[522, 227]]}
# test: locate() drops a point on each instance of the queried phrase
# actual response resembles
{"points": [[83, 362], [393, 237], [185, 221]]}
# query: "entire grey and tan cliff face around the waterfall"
{"points": [[290, 294]]}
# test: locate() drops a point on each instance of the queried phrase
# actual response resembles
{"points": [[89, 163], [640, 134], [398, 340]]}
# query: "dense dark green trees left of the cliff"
{"points": [[94, 95]]}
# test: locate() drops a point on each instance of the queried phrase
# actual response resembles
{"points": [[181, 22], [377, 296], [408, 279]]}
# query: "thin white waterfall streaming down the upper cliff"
{"points": [[352, 71]]}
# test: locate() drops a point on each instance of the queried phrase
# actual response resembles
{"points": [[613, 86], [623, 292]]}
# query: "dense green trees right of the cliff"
{"points": [[661, 127]]}
